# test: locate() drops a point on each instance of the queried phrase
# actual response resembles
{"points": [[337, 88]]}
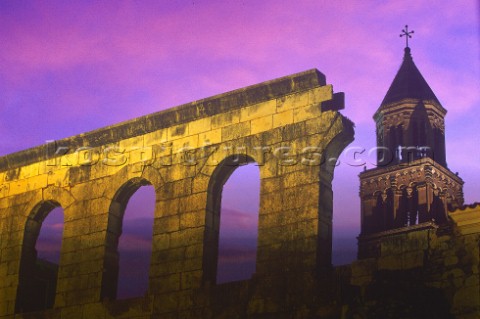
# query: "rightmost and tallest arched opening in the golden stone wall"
{"points": [[232, 221]]}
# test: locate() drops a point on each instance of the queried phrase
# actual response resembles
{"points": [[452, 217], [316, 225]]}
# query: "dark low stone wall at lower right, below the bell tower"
{"points": [[423, 271]]}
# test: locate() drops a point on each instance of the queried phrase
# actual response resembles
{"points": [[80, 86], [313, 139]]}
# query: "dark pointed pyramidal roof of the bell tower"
{"points": [[409, 83]]}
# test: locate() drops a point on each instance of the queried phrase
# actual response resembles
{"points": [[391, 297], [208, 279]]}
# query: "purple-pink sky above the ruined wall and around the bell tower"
{"points": [[69, 68]]}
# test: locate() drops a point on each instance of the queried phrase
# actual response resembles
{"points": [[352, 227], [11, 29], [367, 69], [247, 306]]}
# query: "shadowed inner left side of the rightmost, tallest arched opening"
{"points": [[212, 219]]}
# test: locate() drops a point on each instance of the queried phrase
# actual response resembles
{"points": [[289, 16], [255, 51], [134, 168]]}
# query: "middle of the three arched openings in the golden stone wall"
{"points": [[129, 241]]}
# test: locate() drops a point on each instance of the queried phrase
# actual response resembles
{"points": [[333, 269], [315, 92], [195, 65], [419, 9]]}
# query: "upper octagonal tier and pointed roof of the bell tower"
{"points": [[410, 119]]}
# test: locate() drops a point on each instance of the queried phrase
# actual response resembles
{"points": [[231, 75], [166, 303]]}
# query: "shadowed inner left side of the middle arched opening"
{"points": [[114, 230]]}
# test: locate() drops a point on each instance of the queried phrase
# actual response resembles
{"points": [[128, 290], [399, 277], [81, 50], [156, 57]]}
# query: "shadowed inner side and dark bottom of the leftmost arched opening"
{"points": [[37, 283]]}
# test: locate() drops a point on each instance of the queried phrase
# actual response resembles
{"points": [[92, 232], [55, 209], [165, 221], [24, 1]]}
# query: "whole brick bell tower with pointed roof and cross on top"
{"points": [[411, 185]]}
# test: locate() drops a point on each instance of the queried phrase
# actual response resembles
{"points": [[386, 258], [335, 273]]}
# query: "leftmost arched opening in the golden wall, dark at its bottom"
{"points": [[40, 258]]}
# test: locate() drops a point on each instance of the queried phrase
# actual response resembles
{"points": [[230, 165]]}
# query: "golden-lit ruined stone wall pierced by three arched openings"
{"points": [[290, 127]]}
